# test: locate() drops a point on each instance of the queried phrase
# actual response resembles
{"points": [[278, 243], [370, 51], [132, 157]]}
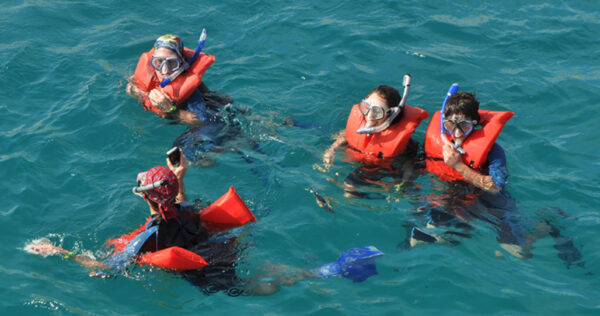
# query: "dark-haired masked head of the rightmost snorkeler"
{"points": [[461, 115]]}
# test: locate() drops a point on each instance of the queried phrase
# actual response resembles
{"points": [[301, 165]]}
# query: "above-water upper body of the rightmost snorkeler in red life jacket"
{"points": [[460, 151]]}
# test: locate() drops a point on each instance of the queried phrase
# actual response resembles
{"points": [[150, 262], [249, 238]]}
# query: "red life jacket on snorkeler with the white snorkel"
{"points": [[391, 142]]}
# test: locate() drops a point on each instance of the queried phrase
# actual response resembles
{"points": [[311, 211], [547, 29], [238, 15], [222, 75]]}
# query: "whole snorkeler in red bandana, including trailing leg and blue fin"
{"points": [[179, 238]]}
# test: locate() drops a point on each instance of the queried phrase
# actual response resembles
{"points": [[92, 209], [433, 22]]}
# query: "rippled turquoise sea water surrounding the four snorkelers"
{"points": [[72, 142]]}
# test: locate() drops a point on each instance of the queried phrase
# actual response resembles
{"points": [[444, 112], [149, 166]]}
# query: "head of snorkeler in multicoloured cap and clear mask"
{"points": [[168, 55]]}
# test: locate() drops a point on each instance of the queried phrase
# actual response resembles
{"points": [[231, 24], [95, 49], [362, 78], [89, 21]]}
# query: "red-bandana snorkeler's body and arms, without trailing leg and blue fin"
{"points": [[175, 236]]}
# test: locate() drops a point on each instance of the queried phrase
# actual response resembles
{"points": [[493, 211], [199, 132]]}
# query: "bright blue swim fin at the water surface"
{"points": [[357, 264]]}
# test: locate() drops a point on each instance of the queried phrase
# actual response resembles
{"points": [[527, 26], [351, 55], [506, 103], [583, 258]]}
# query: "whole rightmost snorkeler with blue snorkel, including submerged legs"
{"points": [[461, 149]]}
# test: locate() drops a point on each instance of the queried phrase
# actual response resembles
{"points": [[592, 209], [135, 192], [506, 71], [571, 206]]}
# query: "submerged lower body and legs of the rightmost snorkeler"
{"points": [[451, 213]]}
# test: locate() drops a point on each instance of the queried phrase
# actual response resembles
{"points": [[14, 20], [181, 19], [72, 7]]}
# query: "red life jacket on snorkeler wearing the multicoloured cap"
{"points": [[180, 89]]}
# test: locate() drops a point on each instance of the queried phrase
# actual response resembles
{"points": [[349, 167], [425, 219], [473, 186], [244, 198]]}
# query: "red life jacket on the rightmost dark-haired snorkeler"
{"points": [[477, 145]]}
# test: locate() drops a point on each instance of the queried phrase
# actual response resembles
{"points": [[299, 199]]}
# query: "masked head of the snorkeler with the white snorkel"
{"points": [[376, 107]]}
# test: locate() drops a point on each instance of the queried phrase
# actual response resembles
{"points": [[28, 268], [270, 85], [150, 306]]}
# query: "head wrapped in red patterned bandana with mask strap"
{"points": [[162, 198]]}
